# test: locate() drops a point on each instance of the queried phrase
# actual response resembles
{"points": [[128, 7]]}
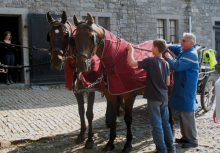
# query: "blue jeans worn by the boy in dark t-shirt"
{"points": [[159, 119]]}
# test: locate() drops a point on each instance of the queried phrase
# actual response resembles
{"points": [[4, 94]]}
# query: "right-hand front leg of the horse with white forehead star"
{"points": [[89, 115]]}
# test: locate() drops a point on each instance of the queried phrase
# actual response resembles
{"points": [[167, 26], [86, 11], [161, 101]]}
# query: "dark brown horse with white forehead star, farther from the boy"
{"points": [[60, 31]]}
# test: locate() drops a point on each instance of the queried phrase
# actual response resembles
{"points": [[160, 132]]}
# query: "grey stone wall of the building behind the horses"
{"points": [[132, 20]]}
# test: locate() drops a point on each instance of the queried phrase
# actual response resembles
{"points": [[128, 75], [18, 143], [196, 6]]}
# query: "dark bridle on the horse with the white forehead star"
{"points": [[55, 23]]}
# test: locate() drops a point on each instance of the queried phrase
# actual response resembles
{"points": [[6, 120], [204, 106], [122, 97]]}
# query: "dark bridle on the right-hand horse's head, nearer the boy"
{"points": [[97, 43]]}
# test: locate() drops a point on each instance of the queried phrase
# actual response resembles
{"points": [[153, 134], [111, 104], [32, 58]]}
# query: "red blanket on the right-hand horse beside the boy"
{"points": [[123, 78]]}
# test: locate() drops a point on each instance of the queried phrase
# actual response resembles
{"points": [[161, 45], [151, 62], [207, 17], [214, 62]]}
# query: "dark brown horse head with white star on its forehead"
{"points": [[60, 31]]}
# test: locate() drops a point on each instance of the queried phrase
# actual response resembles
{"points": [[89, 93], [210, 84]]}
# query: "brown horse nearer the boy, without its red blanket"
{"points": [[89, 40]]}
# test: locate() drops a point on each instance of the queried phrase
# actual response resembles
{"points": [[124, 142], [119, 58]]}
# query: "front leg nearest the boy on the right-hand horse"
{"points": [[129, 101]]}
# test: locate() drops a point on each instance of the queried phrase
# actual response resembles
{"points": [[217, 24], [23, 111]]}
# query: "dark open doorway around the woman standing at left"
{"points": [[10, 23]]}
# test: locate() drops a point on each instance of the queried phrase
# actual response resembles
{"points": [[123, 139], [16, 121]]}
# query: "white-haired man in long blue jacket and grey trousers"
{"points": [[183, 95]]}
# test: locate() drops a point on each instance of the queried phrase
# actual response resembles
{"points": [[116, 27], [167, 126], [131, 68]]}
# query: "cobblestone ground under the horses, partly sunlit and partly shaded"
{"points": [[47, 121]]}
